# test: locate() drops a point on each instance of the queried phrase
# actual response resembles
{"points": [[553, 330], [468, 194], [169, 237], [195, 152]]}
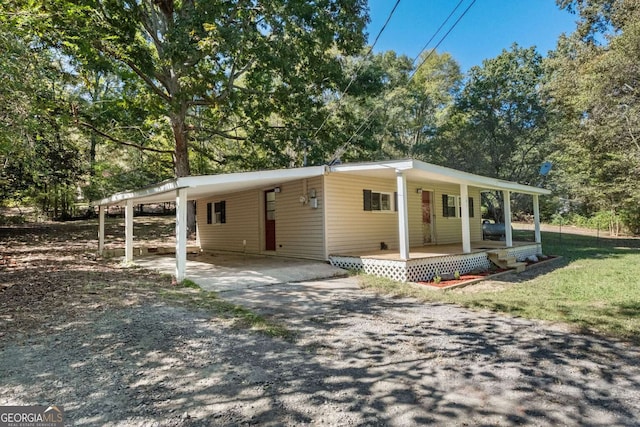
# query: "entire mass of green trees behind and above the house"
{"points": [[101, 96]]}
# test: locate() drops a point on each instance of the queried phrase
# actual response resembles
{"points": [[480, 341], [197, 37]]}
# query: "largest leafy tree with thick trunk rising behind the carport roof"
{"points": [[233, 64]]}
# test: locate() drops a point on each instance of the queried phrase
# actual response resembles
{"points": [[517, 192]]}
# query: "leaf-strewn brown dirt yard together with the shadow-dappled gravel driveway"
{"points": [[105, 343]]}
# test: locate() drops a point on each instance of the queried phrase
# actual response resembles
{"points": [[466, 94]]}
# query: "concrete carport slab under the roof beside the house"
{"points": [[223, 272]]}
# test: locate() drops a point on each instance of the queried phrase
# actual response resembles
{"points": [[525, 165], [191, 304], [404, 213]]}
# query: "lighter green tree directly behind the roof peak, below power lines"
{"points": [[393, 109]]}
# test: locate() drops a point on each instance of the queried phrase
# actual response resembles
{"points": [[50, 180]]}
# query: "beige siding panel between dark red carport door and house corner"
{"points": [[299, 227]]}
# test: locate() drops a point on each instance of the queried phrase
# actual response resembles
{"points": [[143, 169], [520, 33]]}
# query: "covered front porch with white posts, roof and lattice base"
{"points": [[422, 263]]}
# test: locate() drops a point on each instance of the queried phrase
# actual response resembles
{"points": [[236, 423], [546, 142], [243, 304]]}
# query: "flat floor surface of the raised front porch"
{"points": [[430, 251]]}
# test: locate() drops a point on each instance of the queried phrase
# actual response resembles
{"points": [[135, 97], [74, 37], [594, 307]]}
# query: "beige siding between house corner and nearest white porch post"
{"points": [[351, 229]]}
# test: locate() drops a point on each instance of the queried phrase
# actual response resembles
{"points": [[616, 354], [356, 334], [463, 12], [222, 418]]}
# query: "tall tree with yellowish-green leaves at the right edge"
{"points": [[594, 87]]}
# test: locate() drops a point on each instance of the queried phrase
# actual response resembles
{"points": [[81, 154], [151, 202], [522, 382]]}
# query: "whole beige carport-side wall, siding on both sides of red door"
{"points": [[299, 228]]}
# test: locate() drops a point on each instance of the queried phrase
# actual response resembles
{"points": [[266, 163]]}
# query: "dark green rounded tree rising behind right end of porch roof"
{"points": [[500, 124]]}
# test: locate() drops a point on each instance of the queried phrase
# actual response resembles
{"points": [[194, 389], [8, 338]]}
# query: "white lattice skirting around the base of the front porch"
{"points": [[423, 269]]}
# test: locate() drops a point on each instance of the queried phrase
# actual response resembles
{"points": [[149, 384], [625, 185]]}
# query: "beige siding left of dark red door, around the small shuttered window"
{"points": [[242, 215]]}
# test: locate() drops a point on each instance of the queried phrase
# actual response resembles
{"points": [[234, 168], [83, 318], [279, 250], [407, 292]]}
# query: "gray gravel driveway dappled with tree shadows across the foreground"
{"points": [[180, 367]]}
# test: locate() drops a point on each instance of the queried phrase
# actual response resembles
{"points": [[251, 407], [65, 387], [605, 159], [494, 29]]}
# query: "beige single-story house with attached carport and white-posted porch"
{"points": [[384, 217]]}
